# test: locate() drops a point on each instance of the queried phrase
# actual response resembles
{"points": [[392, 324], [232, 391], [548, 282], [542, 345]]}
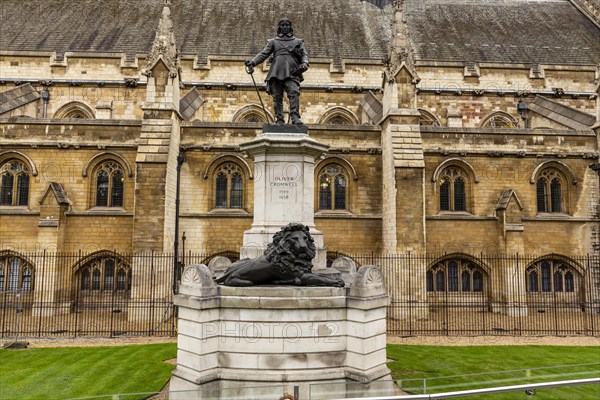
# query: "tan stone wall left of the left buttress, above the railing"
{"points": [[68, 154]]}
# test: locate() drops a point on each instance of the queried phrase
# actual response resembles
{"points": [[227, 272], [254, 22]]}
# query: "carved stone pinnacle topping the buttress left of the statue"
{"points": [[164, 47]]}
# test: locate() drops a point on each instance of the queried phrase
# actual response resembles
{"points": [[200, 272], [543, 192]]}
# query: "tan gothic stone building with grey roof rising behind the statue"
{"points": [[454, 127]]}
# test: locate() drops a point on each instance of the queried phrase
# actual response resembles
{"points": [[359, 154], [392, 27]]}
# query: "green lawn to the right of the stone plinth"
{"points": [[444, 365]]}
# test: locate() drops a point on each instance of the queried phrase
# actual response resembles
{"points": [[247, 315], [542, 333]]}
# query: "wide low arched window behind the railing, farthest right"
{"points": [[551, 275]]}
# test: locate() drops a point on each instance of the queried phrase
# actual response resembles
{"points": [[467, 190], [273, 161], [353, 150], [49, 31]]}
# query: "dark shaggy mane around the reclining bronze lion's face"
{"points": [[279, 254]]}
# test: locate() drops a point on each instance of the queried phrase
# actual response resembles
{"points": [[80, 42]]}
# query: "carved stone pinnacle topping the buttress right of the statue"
{"points": [[401, 51]]}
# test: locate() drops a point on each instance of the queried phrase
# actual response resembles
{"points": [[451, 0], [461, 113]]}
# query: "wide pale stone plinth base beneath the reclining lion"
{"points": [[279, 334]]}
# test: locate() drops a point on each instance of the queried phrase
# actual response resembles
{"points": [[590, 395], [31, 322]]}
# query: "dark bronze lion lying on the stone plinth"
{"points": [[287, 261]]}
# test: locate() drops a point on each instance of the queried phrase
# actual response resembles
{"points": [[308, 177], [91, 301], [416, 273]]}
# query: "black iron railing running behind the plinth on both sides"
{"points": [[107, 294]]}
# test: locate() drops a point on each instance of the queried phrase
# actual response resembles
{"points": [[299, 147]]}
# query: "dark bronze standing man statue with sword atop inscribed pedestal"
{"points": [[289, 61]]}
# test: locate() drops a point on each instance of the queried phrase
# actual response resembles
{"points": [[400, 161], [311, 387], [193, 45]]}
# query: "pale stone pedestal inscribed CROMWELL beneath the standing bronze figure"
{"points": [[284, 170]]}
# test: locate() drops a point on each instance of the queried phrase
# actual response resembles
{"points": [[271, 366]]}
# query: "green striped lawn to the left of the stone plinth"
{"points": [[70, 372]]}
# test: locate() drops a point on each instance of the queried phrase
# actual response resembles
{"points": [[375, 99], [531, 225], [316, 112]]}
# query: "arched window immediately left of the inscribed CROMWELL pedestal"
{"points": [[229, 186]]}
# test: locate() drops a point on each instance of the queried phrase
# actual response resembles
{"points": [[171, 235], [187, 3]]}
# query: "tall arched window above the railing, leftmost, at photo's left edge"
{"points": [[14, 186]]}
